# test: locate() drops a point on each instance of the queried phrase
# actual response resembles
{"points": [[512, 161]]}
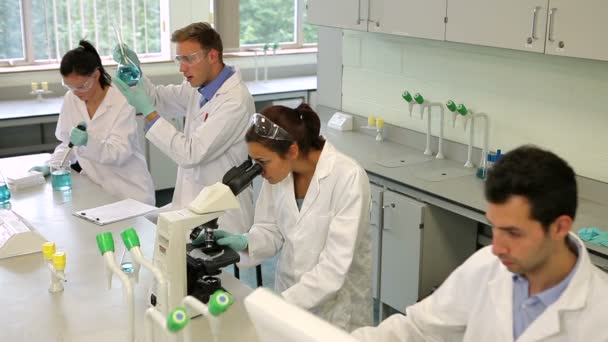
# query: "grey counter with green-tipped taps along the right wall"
{"points": [[461, 194]]}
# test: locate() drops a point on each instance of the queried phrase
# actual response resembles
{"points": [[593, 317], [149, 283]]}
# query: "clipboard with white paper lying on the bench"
{"points": [[115, 212]]}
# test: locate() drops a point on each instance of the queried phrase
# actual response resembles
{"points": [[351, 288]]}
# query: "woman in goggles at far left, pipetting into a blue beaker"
{"points": [[109, 149]]}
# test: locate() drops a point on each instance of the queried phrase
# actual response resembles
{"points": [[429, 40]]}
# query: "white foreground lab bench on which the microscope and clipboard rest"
{"points": [[86, 310]]}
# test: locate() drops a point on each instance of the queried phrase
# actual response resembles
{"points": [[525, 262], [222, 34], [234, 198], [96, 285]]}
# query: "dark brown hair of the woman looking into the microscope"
{"points": [[302, 123]]}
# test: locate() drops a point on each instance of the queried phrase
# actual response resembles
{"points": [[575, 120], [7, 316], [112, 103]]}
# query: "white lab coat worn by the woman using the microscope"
{"points": [[324, 262]]}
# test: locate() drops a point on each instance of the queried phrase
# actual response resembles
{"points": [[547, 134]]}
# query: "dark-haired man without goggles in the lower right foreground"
{"points": [[534, 283]]}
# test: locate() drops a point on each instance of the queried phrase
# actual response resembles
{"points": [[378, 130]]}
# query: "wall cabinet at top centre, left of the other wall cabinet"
{"points": [[415, 18]]}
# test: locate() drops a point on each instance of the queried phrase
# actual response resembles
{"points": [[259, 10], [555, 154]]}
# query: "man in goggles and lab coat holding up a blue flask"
{"points": [[217, 106]]}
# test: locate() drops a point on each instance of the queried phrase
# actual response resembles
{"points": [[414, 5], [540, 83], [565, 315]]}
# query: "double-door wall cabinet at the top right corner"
{"points": [[556, 27]]}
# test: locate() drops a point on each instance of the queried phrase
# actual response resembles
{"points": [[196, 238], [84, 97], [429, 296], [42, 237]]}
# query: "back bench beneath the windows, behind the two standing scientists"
{"points": [[28, 126]]}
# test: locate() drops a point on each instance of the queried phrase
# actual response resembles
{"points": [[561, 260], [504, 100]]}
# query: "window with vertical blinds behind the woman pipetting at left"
{"points": [[42, 31]]}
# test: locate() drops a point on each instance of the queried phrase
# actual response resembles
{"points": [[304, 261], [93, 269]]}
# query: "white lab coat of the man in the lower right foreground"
{"points": [[475, 304]]}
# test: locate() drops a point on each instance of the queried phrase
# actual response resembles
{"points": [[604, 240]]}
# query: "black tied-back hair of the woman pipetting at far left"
{"points": [[83, 61]]}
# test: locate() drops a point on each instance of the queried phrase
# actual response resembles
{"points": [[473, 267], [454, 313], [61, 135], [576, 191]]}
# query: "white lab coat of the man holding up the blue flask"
{"points": [[213, 141]]}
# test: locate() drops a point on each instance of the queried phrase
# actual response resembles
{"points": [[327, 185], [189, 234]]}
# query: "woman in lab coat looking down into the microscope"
{"points": [[313, 211]]}
